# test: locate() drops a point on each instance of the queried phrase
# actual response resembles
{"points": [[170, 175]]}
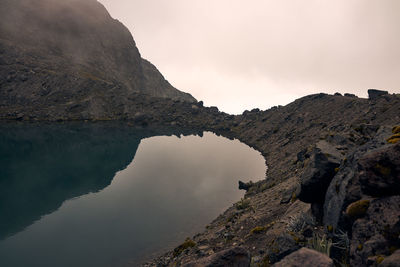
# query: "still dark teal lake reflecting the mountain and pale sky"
{"points": [[111, 195]]}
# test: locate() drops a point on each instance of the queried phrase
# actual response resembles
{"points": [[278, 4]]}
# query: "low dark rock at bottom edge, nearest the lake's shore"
{"points": [[235, 257]]}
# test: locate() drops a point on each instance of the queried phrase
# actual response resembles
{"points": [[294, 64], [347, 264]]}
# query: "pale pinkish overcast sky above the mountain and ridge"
{"points": [[239, 55]]}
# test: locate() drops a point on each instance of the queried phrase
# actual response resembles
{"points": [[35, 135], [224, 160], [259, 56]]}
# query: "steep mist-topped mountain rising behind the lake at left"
{"points": [[56, 55]]}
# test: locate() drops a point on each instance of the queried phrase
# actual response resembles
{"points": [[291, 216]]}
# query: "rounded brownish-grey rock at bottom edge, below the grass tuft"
{"points": [[305, 257]]}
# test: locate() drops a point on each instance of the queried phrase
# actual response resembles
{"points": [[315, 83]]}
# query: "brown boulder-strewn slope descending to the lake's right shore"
{"points": [[324, 153]]}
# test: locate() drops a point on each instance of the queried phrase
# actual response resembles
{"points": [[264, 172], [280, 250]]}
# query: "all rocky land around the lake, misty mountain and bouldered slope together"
{"points": [[332, 189]]}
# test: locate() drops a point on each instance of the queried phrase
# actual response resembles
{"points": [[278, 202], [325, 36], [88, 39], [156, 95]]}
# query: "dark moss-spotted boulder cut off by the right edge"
{"points": [[380, 172]]}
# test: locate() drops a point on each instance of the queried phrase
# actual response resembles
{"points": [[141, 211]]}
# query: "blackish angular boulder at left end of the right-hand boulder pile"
{"points": [[317, 177]]}
